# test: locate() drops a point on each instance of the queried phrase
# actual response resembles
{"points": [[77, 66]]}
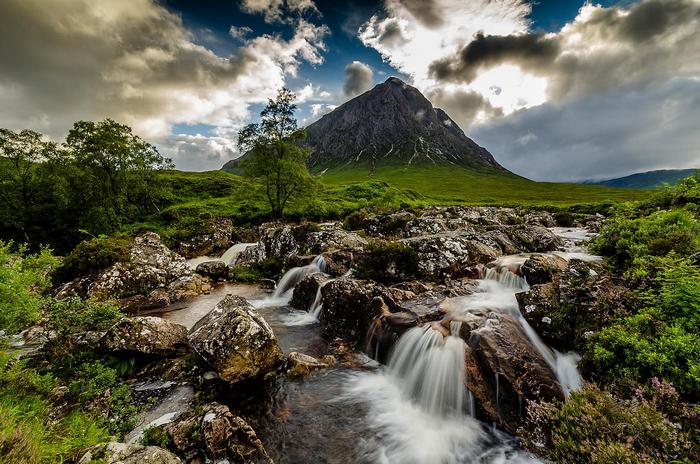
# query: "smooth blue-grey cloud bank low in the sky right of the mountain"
{"points": [[606, 135]]}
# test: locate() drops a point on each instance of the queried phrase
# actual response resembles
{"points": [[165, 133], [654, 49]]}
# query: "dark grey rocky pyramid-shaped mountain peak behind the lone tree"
{"points": [[392, 124]]}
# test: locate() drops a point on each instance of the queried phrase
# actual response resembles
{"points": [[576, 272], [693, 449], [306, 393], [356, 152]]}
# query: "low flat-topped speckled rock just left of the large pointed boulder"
{"points": [[144, 335]]}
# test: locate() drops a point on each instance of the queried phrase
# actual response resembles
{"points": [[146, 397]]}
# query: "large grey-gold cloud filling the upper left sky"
{"points": [[137, 63]]}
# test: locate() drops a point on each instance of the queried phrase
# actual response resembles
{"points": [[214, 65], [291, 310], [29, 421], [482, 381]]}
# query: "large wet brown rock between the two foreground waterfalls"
{"points": [[504, 369]]}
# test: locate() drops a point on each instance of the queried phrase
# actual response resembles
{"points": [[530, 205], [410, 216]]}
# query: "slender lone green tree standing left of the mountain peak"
{"points": [[274, 154]]}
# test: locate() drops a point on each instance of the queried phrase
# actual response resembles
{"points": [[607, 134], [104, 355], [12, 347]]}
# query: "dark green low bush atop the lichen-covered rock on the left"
{"points": [[91, 256]]}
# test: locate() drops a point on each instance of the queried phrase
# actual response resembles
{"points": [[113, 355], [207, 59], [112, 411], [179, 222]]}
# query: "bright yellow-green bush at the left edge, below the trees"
{"points": [[24, 279]]}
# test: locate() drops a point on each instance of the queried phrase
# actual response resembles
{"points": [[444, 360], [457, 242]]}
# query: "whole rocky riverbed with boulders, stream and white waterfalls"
{"points": [[412, 337]]}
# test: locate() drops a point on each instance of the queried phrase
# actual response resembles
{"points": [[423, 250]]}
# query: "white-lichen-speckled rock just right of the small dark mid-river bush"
{"points": [[450, 254]]}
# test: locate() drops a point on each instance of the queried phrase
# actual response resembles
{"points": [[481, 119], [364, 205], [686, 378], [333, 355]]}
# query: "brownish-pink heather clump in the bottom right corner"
{"points": [[594, 427]]}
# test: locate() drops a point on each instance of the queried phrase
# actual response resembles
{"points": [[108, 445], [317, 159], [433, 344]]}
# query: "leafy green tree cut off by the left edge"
{"points": [[21, 177]]}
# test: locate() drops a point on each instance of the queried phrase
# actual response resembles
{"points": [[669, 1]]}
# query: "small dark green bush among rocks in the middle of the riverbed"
{"points": [[387, 262]]}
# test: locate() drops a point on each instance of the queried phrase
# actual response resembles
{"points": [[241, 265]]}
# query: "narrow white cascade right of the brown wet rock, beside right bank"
{"points": [[564, 365]]}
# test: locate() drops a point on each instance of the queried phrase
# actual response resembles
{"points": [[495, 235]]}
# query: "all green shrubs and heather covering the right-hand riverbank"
{"points": [[646, 361]]}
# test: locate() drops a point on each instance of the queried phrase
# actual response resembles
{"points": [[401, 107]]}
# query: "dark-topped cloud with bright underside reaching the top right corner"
{"points": [[602, 48]]}
